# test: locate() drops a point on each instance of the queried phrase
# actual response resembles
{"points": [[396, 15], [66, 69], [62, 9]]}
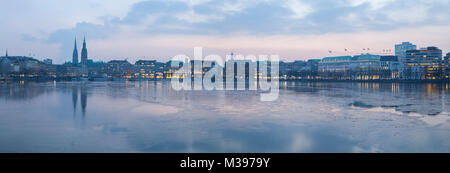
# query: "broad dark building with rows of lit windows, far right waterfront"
{"points": [[425, 63]]}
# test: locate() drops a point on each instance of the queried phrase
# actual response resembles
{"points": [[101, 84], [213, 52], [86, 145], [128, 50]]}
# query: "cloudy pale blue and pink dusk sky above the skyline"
{"points": [[161, 29]]}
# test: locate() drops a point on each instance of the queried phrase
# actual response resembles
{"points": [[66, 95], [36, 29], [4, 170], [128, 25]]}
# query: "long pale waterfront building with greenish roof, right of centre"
{"points": [[337, 68]]}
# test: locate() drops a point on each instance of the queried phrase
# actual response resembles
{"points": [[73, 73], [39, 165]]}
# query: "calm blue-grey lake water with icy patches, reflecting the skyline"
{"points": [[151, 117]]}
